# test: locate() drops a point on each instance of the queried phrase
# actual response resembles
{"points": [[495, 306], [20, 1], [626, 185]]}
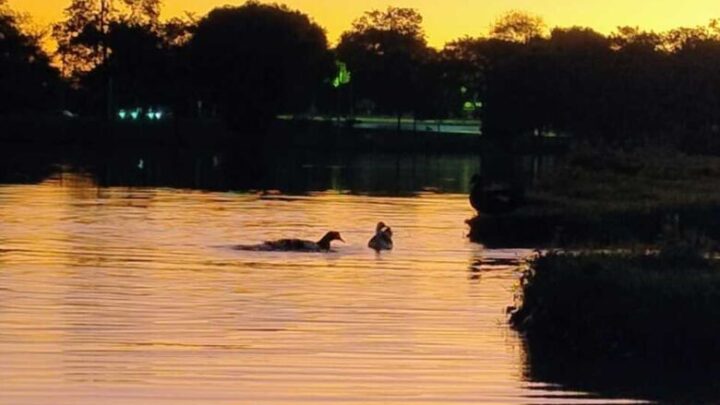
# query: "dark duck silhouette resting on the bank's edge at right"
{"points": [[494, 197]]}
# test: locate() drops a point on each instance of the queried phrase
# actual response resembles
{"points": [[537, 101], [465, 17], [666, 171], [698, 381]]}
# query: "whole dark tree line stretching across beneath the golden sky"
{"points": [[249, 63]]}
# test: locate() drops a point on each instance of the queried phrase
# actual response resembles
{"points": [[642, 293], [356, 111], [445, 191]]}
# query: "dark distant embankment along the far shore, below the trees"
{"points": [[283, 134]]}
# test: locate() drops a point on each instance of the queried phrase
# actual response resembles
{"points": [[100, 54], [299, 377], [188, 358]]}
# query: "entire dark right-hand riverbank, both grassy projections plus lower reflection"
{"points": [[640, 319]]}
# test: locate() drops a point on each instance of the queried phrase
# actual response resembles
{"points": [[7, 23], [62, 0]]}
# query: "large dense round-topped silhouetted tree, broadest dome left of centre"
{"points": [[256, 60]]}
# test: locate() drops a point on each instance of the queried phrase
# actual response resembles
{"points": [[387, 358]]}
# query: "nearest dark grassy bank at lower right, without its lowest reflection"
{"points": [[663, 307]]}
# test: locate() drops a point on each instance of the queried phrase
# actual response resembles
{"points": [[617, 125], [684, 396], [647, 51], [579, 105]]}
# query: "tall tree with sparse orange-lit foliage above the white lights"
{"points": [[119, 54]]}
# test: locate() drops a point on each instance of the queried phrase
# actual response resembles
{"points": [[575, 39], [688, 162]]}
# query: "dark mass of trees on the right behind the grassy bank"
{"points": [[630, 86]]}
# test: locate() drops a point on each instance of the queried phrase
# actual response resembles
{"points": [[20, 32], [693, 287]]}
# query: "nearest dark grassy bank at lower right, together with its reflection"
{"points": [[646, 317]]}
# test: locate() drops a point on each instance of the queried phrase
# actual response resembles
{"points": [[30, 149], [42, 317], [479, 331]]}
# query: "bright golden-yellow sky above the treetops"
{"points": [[450, 19]]}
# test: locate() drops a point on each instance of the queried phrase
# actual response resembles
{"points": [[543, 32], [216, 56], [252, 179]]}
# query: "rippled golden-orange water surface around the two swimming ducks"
{"points": [[132, 295]]}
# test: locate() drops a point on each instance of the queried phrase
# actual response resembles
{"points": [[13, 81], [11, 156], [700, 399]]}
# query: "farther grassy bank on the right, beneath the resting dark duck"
{"points": [[601, 198]]}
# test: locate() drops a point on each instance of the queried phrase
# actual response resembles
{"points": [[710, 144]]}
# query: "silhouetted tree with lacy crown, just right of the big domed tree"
{"points": [[385, 51]]}
